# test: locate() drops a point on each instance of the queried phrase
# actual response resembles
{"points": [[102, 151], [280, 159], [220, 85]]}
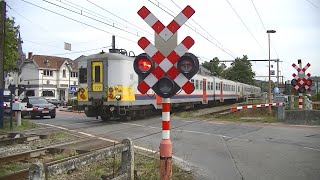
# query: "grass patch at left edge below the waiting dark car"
{"points": [[25, 125]]}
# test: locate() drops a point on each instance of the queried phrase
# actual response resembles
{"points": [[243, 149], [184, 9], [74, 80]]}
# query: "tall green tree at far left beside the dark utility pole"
{"points": [[11, 54]]}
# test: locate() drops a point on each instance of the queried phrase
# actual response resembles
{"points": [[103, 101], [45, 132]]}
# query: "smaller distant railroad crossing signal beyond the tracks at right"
{"points": [[302, 81]]}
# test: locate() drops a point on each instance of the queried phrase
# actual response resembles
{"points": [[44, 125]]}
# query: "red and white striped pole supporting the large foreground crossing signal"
{"points": [[165, 144]]}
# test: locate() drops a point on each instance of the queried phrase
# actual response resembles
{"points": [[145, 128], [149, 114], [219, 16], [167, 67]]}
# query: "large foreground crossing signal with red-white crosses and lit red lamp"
{"points": [[166, 75]]}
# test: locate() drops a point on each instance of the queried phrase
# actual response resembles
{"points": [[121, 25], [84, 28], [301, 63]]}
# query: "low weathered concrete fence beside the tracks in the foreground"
{"points": [[40, 171]]}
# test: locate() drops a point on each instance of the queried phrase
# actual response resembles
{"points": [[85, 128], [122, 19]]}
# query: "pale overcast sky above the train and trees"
{"points": [[221, 28]]}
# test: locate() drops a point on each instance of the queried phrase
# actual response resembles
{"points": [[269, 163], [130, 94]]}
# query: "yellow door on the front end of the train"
{"points": [[97, 76]]}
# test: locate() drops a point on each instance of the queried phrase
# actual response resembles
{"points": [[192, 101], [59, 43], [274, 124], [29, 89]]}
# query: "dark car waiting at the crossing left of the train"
{"points": [[40, 107]]}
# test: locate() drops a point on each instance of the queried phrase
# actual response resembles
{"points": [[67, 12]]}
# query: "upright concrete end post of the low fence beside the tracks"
{"points": [[127, 164]]}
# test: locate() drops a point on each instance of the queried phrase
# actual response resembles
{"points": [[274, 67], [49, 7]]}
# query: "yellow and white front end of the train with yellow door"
{"points": [[107, 84]]}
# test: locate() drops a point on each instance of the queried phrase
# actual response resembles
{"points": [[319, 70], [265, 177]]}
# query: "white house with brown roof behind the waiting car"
{"points": [[48, 76]]}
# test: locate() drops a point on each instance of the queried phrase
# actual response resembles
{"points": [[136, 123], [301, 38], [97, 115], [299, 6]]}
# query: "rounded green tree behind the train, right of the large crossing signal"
{"points": [[241, 71]]}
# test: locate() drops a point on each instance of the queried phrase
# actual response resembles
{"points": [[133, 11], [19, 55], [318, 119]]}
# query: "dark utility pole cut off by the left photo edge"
{"points": [[2, 36]]}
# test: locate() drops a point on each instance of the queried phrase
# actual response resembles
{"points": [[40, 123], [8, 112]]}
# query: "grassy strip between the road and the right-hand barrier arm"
{"points": [[246, 115]]}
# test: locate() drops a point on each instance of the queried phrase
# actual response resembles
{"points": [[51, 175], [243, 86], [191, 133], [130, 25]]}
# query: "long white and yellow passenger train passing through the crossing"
{"points": [[108, 89]]}
